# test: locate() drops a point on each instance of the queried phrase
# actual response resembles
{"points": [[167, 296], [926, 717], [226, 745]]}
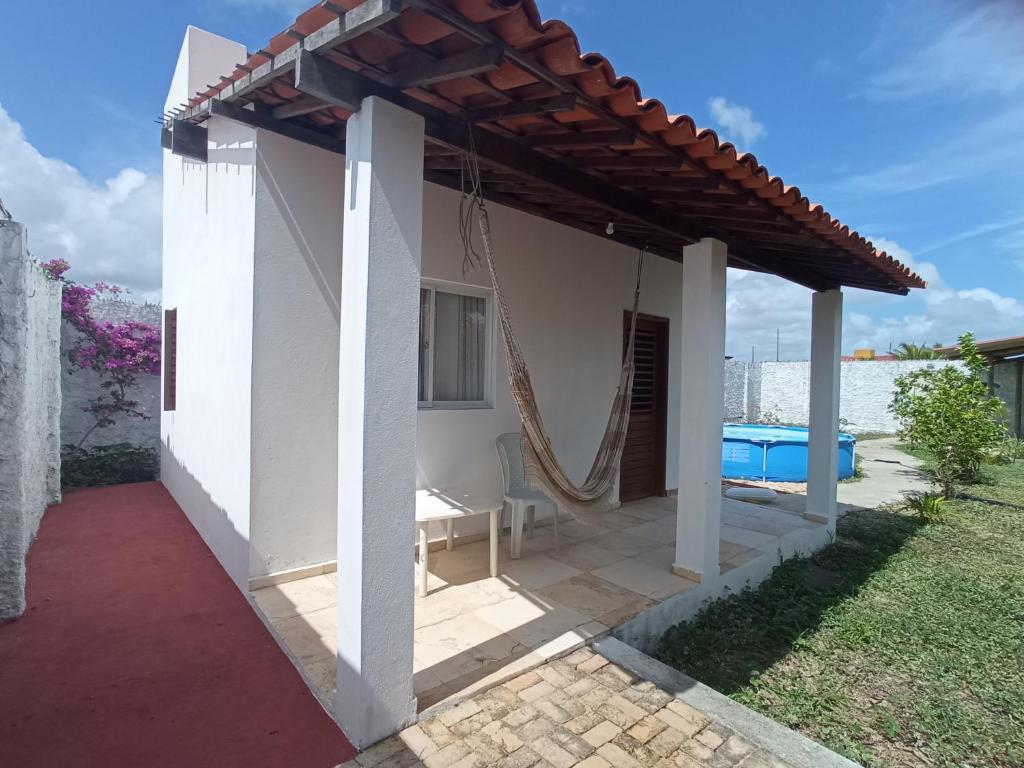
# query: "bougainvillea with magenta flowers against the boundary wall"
{"points": [[120, 353]]}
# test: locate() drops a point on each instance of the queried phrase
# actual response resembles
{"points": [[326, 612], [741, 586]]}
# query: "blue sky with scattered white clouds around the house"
{"points": [[904, 119]]}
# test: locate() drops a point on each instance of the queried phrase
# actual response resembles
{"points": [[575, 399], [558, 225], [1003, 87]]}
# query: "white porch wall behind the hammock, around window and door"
{"points": [[568, 292]]}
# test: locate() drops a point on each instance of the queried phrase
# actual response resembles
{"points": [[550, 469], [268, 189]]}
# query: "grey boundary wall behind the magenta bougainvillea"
{"points": [[80, 388]]}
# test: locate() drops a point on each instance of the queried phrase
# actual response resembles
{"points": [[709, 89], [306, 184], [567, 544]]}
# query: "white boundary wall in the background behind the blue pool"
{"points": [[782, 391]]}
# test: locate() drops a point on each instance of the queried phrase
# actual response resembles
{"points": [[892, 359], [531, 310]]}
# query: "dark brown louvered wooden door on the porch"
{"points": [[643, 472]]}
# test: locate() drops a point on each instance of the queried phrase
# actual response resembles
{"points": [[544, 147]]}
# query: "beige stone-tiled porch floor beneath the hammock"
{"points": [[475, 631]]}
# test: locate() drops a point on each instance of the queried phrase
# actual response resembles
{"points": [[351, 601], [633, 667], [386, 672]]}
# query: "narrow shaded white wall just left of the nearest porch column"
{"points": [[300, 196]]}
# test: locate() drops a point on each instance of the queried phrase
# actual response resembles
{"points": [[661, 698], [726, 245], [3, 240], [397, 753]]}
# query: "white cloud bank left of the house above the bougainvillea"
{"points": [[109, 232]]}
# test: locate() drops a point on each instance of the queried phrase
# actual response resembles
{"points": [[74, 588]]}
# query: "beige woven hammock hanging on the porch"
{"points": [[543, 470]]}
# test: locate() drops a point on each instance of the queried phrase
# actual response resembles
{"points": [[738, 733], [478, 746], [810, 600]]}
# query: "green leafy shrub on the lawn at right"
{"points": [[950, 413]]}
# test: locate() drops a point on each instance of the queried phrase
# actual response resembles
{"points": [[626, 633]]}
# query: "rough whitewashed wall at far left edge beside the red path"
{"points": [[30, 408]]}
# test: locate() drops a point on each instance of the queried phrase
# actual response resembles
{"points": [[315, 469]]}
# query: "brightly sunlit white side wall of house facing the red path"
{"points": [[209, 228]]}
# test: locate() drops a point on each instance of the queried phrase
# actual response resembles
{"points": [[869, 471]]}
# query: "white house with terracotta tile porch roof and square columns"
{"points": [[328, 355]]}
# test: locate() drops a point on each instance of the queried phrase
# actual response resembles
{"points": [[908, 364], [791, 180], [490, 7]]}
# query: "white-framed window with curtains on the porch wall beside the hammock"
{"points": [[455, 345]]}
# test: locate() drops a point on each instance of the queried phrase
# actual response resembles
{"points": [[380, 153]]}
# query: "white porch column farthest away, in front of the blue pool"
{"points": [[823, 444]]}
